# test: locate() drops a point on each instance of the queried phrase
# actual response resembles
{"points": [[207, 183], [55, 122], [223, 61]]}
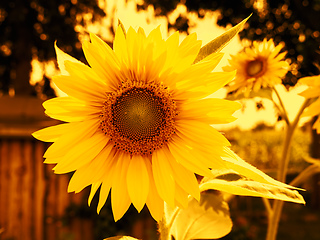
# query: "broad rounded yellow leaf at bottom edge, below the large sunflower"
{"points": [[207, 219]]}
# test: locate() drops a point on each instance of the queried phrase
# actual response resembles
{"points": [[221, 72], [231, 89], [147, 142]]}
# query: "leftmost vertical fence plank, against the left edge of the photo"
{"points": [[4, 187]]}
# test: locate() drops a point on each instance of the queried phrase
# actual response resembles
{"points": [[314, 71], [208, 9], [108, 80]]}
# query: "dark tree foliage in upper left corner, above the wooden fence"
{"points": [[29, 29]]}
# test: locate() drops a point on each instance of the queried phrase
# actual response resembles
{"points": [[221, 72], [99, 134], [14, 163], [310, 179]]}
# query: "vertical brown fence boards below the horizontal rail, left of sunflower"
{"points": [[33, 199]]}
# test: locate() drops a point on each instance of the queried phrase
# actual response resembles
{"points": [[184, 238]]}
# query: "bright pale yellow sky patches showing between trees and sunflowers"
{"points": [[206, 29]]}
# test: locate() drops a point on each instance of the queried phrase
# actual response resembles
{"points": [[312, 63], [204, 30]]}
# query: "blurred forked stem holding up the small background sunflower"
{"points": [[275, 214]]}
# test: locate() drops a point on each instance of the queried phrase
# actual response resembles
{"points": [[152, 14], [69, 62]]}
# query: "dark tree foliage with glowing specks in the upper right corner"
{"points": [[295, 22]]}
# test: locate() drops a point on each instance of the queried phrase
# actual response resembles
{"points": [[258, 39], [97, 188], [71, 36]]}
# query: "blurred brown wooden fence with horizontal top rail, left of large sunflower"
{"points": [[33, 200]]}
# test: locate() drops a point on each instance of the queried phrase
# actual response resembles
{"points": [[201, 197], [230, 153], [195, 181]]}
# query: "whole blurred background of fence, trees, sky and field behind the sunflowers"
{"points": [[34, 203]]}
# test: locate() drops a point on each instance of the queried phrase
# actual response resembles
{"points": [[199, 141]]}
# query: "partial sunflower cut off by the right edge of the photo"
{"points": [[312, 92]]}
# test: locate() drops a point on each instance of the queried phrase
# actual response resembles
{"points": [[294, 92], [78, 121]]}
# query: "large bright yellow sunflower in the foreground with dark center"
{"points": [[137, 121]]}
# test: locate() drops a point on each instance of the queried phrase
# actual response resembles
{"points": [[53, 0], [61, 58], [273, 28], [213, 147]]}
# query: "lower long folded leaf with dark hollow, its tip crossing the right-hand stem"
{"points": [[240, 185]]}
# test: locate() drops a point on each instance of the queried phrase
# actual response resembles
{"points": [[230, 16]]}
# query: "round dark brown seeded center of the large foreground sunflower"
{"points": [[139, 120]]}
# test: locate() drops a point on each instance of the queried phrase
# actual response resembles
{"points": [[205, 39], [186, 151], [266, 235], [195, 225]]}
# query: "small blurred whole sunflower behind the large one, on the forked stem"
{"points": [[258, 66]]}
